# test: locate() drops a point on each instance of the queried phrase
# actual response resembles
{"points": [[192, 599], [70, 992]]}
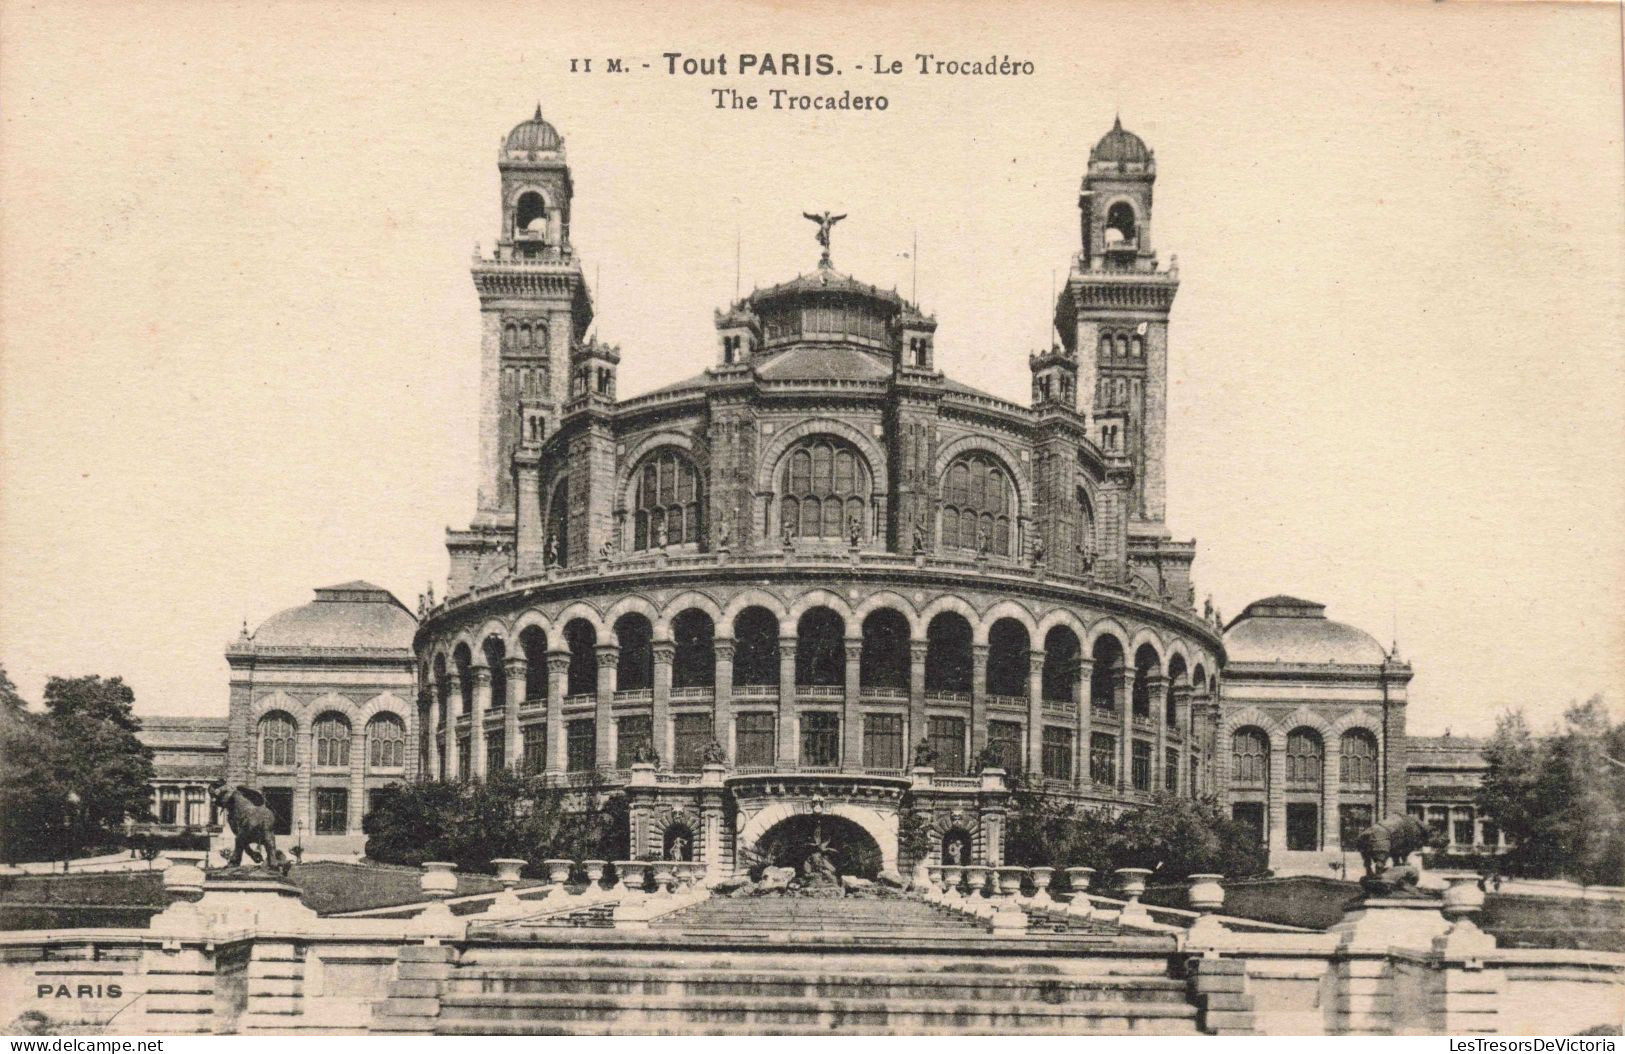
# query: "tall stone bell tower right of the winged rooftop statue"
{"points": [[1114, 316]]}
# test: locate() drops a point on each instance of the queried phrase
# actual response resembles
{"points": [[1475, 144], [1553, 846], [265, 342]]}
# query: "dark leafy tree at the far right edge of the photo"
{"points": [[1561, 800]]}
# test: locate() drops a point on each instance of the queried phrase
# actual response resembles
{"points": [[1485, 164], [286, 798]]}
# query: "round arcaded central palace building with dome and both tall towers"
{"points": [[821, 576]]}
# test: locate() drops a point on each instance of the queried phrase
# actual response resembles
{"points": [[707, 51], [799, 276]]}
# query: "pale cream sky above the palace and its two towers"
{"points": [[238, 337]]}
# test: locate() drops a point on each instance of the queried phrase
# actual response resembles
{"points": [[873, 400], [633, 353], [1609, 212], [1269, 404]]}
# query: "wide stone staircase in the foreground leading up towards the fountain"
{"points": [[810, 967]]}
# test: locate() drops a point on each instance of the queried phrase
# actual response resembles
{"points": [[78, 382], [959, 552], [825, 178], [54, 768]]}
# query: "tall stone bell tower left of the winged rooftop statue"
{"points": [[534, 306]]}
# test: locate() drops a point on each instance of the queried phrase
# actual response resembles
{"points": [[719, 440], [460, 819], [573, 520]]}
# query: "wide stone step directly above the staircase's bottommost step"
{"points": [[794, 983]]}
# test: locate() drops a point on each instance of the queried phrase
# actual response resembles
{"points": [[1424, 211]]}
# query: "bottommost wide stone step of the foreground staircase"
{"points": [[531, 1013]]}
